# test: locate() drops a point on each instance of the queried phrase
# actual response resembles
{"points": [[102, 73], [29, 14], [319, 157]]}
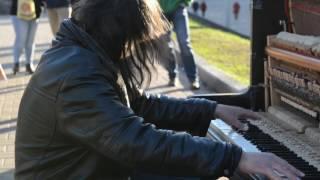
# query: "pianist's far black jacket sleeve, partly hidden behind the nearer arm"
{"points": [[191, 115]]}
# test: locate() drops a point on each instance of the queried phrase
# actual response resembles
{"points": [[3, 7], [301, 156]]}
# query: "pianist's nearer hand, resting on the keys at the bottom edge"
{"points": [[269, 165]]}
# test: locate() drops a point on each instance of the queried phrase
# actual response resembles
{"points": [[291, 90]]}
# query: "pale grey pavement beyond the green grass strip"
{"points": [[221, 12]]}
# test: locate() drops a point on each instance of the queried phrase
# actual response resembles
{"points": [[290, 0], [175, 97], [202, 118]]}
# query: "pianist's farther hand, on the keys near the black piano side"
{"points": [[232, 115]]}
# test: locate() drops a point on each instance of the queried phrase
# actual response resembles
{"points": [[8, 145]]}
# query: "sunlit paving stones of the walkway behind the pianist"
{"points": [[12, 89]]}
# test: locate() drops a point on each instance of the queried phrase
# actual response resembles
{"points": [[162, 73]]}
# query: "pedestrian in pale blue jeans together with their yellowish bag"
{"points": [[24, 18]]}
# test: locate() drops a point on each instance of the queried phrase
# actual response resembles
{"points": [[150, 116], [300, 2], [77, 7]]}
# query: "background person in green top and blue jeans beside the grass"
{"points": [[176, 12]]}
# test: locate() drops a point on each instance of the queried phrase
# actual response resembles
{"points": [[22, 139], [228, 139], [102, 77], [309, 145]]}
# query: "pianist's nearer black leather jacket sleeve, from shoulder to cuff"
{"points": [[90, 112]]}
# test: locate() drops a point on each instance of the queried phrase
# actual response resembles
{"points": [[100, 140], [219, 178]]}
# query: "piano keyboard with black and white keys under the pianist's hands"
{"points": [[255, 140]]}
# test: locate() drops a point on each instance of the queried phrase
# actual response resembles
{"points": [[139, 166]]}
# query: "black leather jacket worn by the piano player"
{"points": [[76, 122]]}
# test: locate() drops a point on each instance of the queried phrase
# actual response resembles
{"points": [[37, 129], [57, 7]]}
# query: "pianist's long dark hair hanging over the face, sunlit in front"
{"points": [[128, 30]]}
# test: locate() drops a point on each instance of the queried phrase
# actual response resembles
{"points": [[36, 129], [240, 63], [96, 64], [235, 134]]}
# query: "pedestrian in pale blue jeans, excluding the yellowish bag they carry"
{"points": [[25, 31]]}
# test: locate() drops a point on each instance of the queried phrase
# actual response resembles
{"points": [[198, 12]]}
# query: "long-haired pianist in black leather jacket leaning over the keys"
{"points": [[82, 115]]}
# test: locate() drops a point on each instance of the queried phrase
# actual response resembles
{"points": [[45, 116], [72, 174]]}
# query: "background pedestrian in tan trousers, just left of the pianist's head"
{"points": [[58, 10]]}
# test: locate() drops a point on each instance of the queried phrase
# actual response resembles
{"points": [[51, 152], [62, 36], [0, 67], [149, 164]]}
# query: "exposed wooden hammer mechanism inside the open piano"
{"points": [[292, 79]]}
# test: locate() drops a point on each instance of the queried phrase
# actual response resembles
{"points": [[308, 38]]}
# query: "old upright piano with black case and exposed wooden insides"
{"points": [[284, 88]]}
